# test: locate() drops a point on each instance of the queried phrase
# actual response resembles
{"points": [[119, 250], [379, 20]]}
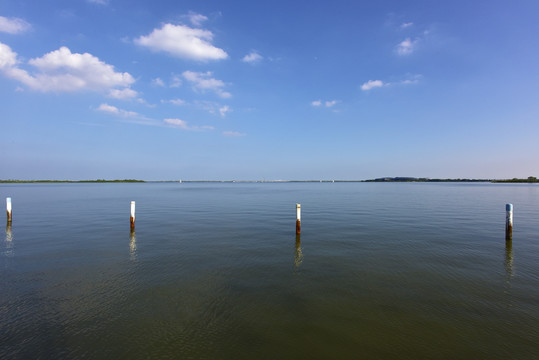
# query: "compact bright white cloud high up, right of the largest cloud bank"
{"points": [[183, 42]]}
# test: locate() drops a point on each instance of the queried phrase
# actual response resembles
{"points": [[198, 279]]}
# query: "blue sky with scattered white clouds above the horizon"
{"points": [[277, 90]]}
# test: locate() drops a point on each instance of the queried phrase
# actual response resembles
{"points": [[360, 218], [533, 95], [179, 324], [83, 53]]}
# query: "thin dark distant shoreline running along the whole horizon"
{"points": [[530, 179]]}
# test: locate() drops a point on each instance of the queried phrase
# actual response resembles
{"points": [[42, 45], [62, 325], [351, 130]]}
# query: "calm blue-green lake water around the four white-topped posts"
{"points": [[215, 271]]}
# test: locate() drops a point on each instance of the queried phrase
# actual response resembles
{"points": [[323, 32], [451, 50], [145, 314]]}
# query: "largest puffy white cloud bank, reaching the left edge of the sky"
{"points": [[63, 71]]}
